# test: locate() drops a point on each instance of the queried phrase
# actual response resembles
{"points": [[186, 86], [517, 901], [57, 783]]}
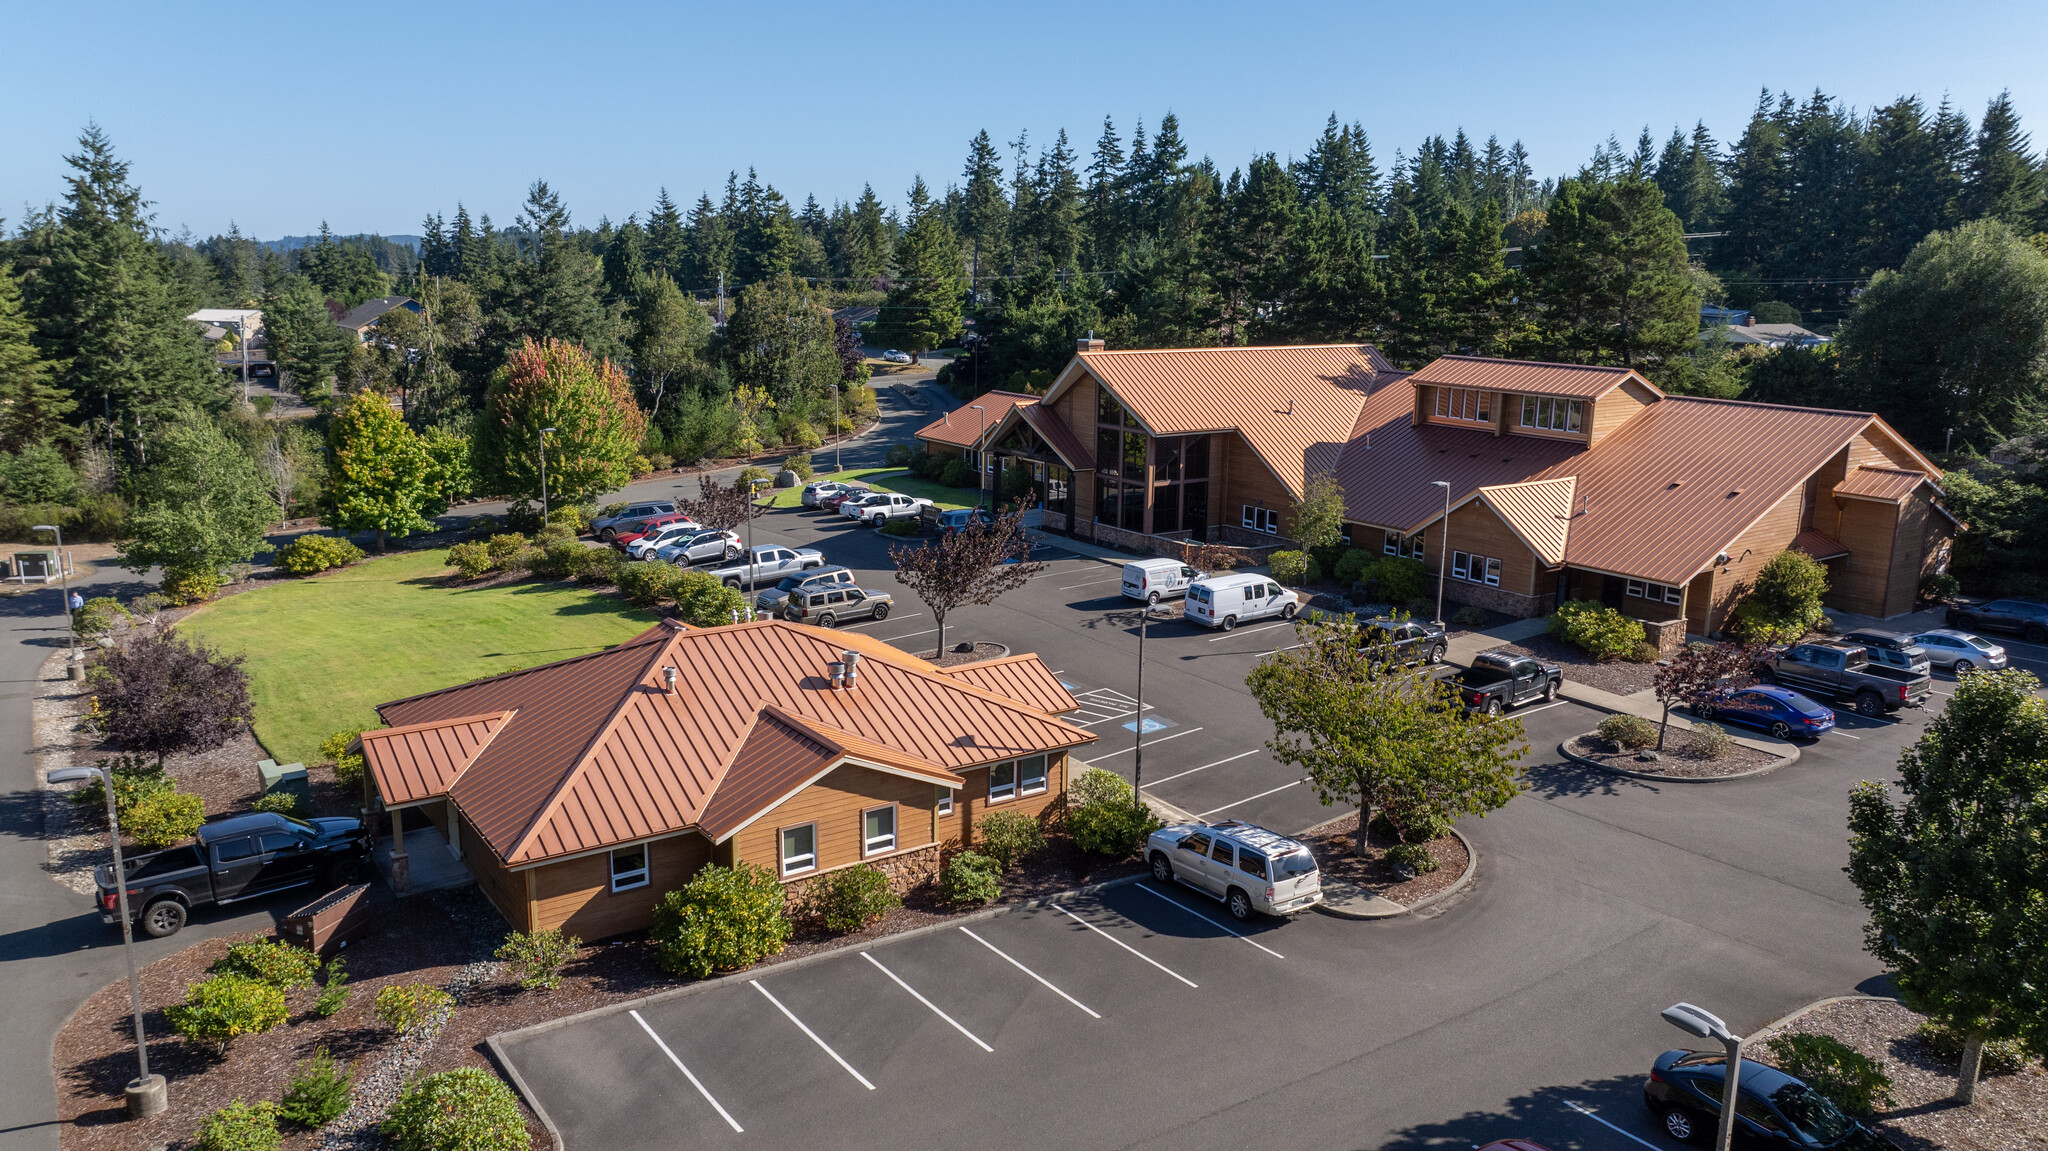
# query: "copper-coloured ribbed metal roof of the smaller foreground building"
{"points": [[599, 753]]}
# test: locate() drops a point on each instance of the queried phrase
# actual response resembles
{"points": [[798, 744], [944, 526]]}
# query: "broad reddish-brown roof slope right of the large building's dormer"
{"points": [[1684, 478]]}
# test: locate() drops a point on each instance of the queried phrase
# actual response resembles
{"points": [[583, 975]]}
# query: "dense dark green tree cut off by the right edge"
{"points": [[1955, 878]]}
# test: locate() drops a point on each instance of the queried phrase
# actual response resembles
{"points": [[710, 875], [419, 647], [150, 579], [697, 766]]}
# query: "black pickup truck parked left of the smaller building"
{"points": [[234, 859]]}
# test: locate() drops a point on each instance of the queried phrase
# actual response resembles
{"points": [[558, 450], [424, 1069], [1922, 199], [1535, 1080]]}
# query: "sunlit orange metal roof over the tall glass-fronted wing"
{"points": [[1295, 407]]}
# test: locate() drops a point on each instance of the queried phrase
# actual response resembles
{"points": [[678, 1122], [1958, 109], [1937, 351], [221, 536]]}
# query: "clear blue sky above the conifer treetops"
{"points": [[370, 116]]}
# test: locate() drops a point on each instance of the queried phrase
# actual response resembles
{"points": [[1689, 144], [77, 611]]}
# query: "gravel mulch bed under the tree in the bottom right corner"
{"points": [[2010, 1111]]}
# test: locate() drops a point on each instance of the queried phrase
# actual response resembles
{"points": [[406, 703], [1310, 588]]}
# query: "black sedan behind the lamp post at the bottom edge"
{"points": [[1775, 1109]]}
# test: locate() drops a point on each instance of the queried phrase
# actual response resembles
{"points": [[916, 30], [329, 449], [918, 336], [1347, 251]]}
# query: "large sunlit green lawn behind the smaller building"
{"points": [[325, 652]]}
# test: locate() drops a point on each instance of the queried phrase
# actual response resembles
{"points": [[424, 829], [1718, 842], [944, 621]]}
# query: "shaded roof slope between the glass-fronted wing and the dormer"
{"points": [[1390, 464]]}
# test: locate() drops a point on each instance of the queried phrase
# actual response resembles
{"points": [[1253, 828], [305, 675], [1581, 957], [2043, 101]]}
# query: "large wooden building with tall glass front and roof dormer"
{"points": [[1551, 480]]}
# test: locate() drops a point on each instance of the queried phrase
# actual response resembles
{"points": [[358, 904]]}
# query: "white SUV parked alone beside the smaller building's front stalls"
{"points": [[1240, 863]]}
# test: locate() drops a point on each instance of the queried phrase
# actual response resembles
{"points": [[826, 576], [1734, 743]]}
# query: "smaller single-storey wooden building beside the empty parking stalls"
{"points": [[579, 794]]}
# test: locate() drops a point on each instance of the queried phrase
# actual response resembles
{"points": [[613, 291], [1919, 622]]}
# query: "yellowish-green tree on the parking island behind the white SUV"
{"points": [[1385, 740]]}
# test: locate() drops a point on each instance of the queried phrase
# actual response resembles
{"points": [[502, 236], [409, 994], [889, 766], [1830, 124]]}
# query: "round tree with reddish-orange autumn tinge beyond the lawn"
{"points": [[591, 407]]}
